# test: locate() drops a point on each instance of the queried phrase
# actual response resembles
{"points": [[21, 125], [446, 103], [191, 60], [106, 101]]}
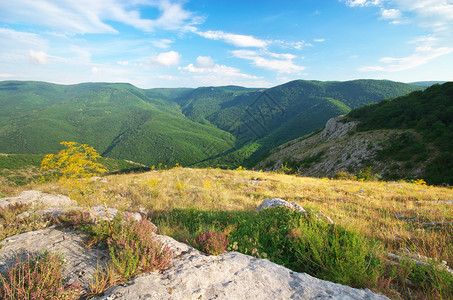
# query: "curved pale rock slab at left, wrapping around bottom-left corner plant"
{"points": [[80, 262]]}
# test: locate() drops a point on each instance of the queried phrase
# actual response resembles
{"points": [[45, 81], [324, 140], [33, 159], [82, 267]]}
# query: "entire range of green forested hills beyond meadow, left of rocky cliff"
{"points": [[210, 125]]}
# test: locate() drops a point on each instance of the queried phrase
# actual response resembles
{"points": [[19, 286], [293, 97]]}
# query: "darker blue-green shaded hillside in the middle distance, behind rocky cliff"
{"points": [[261, 120]]}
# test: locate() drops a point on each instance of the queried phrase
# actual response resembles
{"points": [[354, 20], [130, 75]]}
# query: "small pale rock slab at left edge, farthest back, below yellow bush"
{"points": [[39, 198]]}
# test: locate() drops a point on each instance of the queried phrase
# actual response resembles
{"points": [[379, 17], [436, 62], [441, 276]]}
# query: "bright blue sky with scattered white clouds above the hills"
{"points": [[166, 43]]}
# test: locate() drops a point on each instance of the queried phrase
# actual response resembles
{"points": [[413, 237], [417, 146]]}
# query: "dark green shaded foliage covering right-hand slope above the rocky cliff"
{"points": [[430, 113]]}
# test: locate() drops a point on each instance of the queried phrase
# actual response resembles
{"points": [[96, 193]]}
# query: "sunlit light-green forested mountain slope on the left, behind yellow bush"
{"points": [[105, 116]]}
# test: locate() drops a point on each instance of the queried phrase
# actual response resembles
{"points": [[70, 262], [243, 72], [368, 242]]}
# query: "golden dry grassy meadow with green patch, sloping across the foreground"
{"points": [[372, 218]]}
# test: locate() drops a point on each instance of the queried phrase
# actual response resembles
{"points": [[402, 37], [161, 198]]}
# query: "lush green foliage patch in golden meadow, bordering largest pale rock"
{"points": [[289, 238]]}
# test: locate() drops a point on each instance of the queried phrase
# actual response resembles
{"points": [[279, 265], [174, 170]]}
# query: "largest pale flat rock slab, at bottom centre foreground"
{"points": [[231, 275]]}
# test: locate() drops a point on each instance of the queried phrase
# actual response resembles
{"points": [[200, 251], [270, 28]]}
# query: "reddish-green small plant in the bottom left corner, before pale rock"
{"points": [[37, 278]]}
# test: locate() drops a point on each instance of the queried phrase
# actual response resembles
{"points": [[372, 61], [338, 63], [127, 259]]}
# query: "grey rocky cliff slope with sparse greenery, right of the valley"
{"points": [[339, 147]]}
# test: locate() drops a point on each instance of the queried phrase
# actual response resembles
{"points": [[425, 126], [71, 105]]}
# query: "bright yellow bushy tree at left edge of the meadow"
{"points": [[74, 162]]}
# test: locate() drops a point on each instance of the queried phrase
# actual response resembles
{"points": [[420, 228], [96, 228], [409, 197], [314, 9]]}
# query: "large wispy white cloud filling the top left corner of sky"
{"points": [[87, 16]]}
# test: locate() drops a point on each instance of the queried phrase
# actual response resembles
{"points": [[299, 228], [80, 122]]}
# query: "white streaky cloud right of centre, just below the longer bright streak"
{"points": [[283, 64]]}
